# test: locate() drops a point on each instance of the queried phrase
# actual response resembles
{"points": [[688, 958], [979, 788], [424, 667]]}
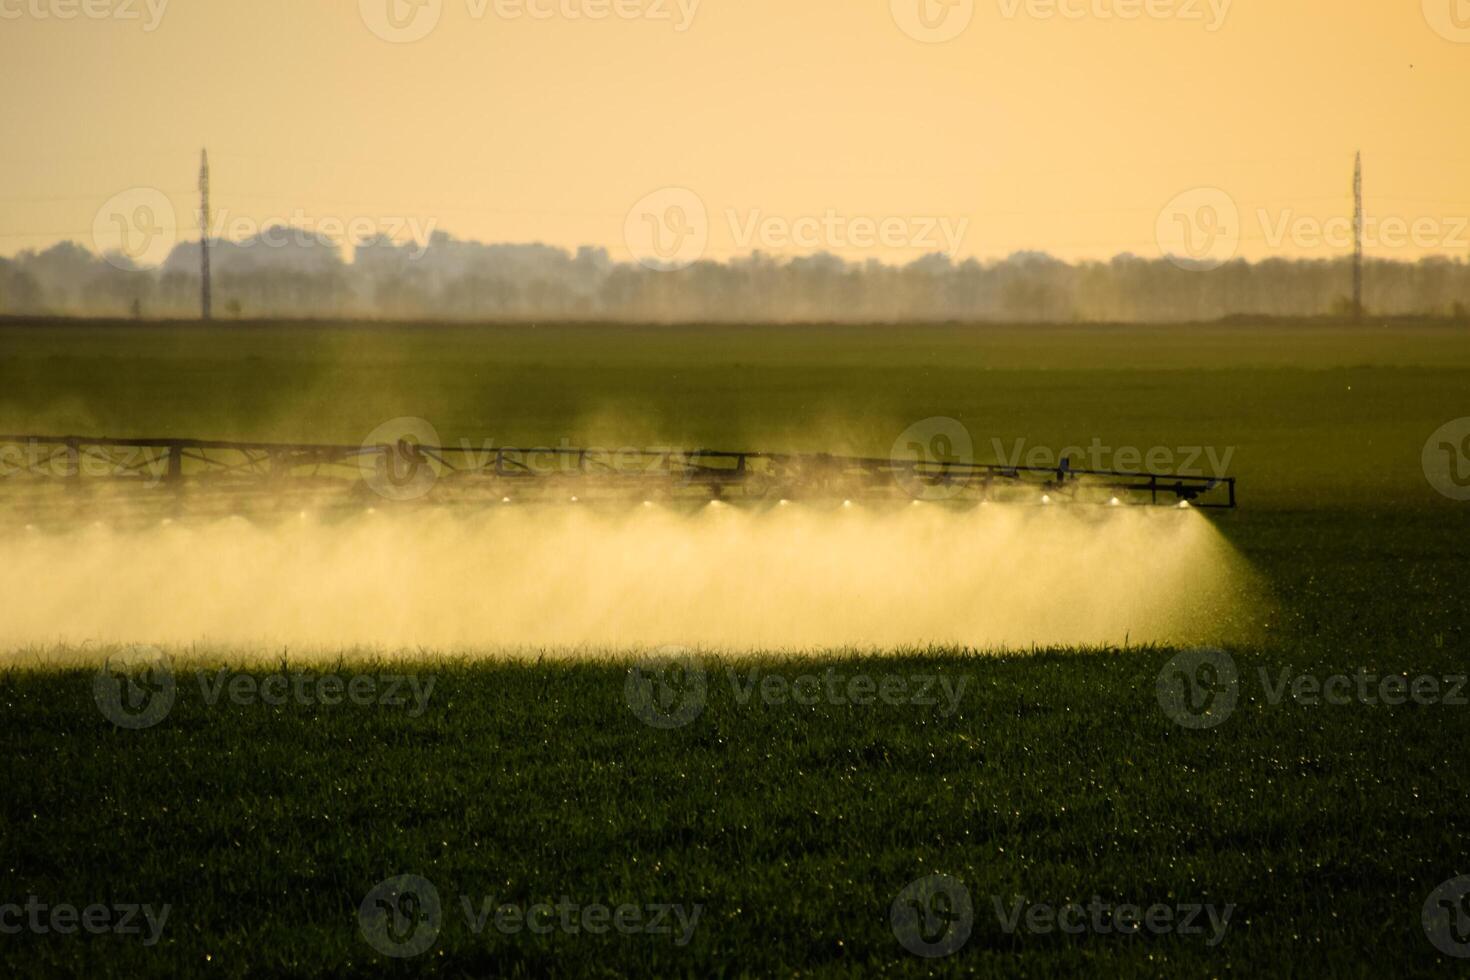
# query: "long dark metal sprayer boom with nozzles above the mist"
{"points": [[408, 471]]}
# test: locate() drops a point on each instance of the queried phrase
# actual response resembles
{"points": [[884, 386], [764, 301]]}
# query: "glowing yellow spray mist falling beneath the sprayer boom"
{"points": [[586, 580]]}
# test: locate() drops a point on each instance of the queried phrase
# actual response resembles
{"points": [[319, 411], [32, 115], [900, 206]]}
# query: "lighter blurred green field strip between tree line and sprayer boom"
{"points": [[1316, 415]]}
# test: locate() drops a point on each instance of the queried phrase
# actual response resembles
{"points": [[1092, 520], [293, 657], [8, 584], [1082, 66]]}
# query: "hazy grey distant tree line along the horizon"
{"points": [[456, 280]]}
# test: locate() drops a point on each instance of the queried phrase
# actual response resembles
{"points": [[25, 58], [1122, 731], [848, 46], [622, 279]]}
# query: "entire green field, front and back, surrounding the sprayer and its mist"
{"points": [[795, 826]]}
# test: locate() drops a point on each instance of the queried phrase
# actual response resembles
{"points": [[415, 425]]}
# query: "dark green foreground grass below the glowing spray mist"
{"points": [[1058, 779]]}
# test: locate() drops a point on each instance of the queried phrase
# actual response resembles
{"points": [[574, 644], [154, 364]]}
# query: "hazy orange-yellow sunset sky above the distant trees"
{"points": [[850, 126]]}
